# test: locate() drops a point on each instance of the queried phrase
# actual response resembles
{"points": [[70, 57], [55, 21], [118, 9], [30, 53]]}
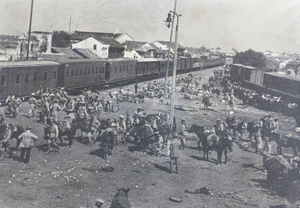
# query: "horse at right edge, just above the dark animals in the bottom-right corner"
{"points": [[287, 142]]}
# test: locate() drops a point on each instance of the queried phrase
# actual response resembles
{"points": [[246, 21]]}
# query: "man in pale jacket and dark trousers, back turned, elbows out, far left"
{"points": [[27, 142]]}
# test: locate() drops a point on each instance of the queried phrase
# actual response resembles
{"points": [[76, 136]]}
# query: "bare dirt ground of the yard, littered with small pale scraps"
{"points": [[75, 177]]}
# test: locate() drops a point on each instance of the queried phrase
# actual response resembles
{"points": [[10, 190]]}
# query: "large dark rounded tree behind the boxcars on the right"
{"points": [[251, 58]]}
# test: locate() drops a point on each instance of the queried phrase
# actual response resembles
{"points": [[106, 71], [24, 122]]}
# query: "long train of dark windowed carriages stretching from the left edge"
{"points": [[25, 77]]}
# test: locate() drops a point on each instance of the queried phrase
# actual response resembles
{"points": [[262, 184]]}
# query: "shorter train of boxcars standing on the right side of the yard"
{"points": [[277, 81]]}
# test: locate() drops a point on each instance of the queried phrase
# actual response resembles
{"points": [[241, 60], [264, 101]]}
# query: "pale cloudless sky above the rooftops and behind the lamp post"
{"points": [[243, 24]]}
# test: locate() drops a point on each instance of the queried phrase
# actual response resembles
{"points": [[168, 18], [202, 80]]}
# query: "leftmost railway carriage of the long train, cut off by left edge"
{"points": [[25, 77]]}
